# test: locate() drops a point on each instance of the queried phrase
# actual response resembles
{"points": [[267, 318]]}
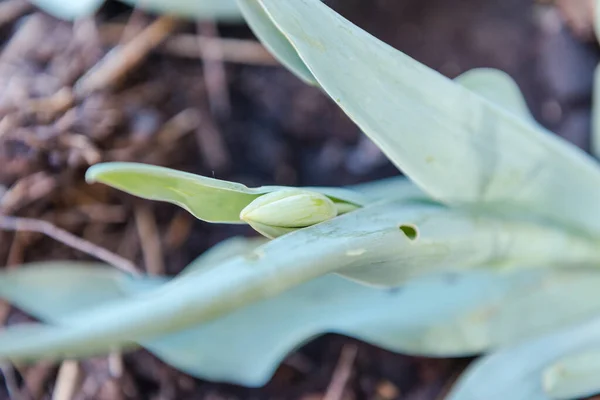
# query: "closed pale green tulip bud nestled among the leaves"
{"points": [[289, 208]]}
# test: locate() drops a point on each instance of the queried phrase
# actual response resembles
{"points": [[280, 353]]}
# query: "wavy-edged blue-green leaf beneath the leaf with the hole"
{"points": [[437, 316]]}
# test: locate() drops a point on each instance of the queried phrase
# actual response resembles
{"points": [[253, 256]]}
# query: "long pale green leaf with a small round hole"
{"points": [[368, 239]]}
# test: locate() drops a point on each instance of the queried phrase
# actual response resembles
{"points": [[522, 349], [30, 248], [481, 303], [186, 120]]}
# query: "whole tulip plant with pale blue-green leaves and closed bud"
{"points": [[493, 239]]}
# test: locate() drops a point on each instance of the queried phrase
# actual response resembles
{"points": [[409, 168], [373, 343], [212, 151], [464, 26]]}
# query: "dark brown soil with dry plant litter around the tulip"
{"points": [[259, 126]]}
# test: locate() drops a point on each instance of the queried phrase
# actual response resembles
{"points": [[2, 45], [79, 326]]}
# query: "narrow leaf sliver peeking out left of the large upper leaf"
{"points": [[273, 40]]}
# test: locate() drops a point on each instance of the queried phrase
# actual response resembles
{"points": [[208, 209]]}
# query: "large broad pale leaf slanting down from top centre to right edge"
{"points": [[455, 144]]}
